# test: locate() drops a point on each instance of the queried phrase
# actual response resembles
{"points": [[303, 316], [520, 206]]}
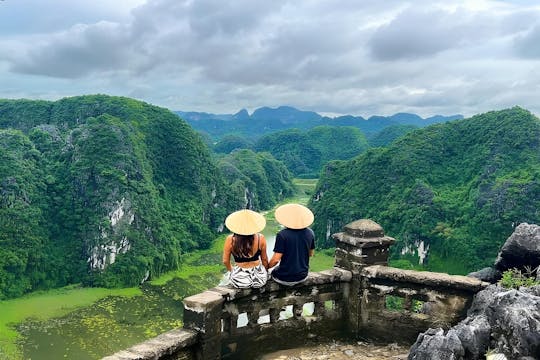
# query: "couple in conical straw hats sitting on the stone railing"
{"points": [[294, 245]]}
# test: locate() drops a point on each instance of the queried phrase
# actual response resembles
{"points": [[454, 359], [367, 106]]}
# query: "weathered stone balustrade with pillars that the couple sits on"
{"points": [[360, 297]]}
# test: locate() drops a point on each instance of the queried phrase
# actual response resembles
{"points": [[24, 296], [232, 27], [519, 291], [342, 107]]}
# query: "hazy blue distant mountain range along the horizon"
{"points": [[265, 120]]}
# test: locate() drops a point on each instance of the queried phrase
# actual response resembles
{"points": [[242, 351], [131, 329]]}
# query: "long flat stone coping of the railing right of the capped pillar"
{"points": [[424, 278]]}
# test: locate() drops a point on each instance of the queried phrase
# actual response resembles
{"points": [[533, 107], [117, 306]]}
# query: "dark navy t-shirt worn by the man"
{"points": [[295, 246]]}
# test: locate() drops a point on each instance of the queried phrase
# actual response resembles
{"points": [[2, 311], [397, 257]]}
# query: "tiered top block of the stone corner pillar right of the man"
{"points": [[362, 243]]}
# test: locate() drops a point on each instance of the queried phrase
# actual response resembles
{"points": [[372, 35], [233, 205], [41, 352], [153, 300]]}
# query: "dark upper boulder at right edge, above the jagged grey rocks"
{"points": [[521, 249]]}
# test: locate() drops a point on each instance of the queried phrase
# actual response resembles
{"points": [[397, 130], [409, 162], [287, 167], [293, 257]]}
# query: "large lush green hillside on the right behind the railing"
{"points": [[457, 189]]}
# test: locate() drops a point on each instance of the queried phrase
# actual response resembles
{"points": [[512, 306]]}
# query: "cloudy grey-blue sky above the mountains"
{"points": [[363, 57]]}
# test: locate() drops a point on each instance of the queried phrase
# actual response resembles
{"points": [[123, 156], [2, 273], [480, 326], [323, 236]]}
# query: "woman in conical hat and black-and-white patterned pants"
{"points": [[248, 248]]}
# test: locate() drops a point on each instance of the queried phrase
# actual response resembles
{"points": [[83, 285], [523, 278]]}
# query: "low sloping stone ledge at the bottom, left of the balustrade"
{"points": [[163, 345]]}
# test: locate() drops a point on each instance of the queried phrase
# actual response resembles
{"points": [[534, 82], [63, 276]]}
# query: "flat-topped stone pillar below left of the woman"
{"points": [[202, 312]]}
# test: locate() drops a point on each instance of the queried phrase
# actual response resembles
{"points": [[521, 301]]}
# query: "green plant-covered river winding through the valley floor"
{"points": [[93, 322]]}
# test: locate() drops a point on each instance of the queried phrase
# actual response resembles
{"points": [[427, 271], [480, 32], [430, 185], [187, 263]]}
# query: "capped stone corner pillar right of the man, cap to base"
{"points": [[362, 244]]}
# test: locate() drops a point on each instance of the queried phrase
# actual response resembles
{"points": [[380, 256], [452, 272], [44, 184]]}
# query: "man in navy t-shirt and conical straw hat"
{"points": [[294, 245]]}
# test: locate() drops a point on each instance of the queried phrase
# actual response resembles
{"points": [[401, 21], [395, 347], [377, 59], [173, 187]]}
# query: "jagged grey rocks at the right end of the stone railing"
{"points": [[500, 320]]}
